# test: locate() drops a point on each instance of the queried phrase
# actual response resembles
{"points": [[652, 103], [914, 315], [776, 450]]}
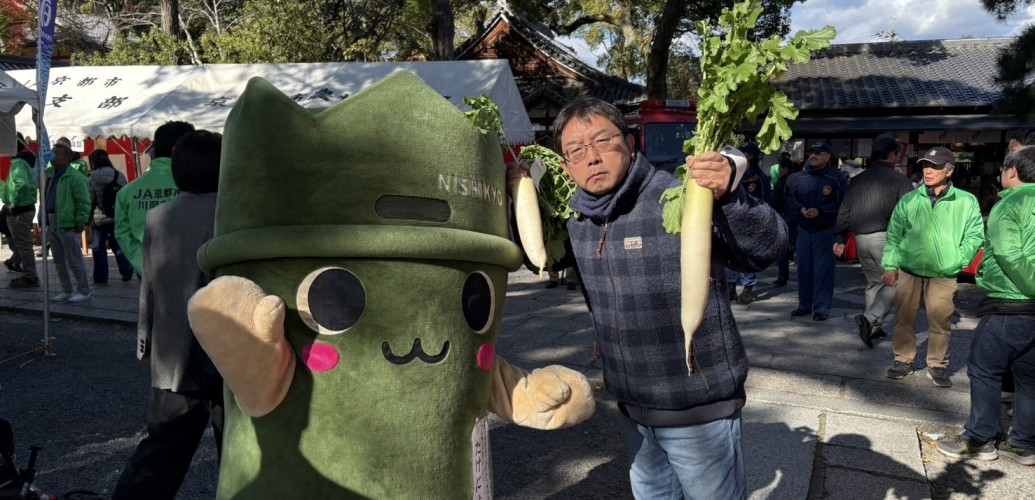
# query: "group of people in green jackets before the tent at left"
{"points": [[84, 195]]}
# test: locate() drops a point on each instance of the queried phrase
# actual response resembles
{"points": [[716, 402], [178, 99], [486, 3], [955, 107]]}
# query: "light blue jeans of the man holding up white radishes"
{"points": [[703, 461]]}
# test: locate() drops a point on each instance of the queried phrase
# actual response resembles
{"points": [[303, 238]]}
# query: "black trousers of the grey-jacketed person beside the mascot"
{"points": [[175, 429]]}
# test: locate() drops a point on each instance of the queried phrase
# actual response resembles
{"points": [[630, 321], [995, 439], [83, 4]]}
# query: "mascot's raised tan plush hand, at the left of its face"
{"points": [[242, 329]]}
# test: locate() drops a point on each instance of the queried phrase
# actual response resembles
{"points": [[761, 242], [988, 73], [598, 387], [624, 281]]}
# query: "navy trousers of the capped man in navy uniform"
{"points": [[816, 271]]}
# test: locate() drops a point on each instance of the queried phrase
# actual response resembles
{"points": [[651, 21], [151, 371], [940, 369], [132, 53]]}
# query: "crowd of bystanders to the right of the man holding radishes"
{"points": [[913, 239]]}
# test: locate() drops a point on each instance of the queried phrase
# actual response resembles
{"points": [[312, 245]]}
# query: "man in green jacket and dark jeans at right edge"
{"points": [[1007, 335]]}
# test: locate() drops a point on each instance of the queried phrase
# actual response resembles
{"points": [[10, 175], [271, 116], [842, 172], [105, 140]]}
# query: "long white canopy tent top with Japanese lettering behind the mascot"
{"points": [[87, 102]]}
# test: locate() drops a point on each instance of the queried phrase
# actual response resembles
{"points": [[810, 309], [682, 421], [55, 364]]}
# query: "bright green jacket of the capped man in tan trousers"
{"points": [[934, 242]]}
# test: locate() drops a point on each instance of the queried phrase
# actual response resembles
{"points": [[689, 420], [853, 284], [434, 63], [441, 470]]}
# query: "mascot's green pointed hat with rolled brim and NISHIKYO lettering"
{"points": [[393, 172]]}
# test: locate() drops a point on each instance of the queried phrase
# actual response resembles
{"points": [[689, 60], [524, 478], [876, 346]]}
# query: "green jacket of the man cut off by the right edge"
{"points": [[1009, 269]]}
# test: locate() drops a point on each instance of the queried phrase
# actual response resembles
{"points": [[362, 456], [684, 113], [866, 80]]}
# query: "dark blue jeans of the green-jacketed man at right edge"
{"points": [[999, 342]]}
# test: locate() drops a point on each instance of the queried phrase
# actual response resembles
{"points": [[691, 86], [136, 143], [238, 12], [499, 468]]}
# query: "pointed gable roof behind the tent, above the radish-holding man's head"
{"points": [[594, 82]]}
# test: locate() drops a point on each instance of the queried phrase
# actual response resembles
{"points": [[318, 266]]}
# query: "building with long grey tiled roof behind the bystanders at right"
{"points": [[926, 94]]}
